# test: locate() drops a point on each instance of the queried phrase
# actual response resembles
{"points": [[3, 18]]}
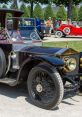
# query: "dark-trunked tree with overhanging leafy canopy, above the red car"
{"points": [[68, 4]]}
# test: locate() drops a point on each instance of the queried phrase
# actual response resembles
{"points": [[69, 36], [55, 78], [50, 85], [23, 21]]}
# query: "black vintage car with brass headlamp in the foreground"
{"points": [[48, 72]]}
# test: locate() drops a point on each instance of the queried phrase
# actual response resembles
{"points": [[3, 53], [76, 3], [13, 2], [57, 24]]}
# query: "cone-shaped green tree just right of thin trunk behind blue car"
{"points": [[38, 12]]}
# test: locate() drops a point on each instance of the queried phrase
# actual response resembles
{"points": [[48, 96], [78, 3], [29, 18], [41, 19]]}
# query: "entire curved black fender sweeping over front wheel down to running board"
{"points": [[54, 61]]}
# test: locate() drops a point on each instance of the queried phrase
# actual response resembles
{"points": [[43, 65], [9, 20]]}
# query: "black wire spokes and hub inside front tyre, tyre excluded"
{"points": [[43, 87]]}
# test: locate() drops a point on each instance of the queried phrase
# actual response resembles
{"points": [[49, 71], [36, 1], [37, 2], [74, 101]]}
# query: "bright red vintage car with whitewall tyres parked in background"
{"points": [[68, 29]]}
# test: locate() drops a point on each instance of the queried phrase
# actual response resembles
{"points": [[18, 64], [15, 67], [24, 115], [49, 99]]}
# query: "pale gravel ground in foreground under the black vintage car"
{"points": [[14, 102]]}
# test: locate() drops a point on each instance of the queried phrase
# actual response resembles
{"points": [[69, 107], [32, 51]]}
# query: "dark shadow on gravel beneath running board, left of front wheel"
{"points": [[13, 92]]}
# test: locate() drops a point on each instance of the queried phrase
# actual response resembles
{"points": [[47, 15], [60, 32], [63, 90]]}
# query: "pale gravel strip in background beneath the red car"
{"points": [[70, 38]]}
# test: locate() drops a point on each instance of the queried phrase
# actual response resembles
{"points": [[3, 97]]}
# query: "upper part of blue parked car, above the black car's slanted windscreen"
{"points": [[31, 24]]}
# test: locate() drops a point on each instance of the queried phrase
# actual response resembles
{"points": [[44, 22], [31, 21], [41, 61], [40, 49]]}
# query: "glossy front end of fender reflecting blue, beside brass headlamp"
{"points": [[51, 60]]}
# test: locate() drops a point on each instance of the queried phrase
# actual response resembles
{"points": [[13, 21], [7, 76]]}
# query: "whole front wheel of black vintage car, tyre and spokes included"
{"points": [[51, 94]]}
